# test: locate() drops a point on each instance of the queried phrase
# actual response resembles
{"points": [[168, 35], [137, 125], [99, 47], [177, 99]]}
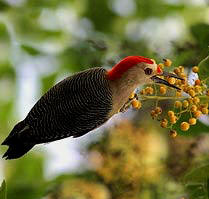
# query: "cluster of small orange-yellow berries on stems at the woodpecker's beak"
{"points": [[192, 99]]}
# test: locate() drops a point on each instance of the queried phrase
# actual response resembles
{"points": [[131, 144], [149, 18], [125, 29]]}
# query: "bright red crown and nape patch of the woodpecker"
{"points": [[120, 68]]}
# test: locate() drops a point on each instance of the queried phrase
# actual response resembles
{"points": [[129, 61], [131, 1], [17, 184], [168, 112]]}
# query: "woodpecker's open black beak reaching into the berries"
{"points": [[156, 79]]}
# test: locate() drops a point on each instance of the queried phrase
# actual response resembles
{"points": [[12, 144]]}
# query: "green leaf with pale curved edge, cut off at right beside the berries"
{"points": [[204, 70]]}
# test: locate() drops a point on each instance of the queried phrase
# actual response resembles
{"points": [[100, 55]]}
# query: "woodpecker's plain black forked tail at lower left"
{"points": [[16, 141]]}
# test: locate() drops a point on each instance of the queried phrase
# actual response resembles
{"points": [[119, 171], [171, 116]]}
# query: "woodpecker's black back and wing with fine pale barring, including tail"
{"points": [[73, 107]]}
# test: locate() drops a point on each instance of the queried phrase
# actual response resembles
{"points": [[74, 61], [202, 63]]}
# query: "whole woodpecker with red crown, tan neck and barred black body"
{"points": [[81, 103]]}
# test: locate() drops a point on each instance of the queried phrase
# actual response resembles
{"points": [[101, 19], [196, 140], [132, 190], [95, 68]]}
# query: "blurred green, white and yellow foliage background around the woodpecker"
{"points": [[43, 41]]}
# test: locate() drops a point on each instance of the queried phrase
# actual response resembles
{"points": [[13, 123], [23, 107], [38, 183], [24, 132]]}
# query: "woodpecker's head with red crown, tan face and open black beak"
{"points": [[141, 70]]}
